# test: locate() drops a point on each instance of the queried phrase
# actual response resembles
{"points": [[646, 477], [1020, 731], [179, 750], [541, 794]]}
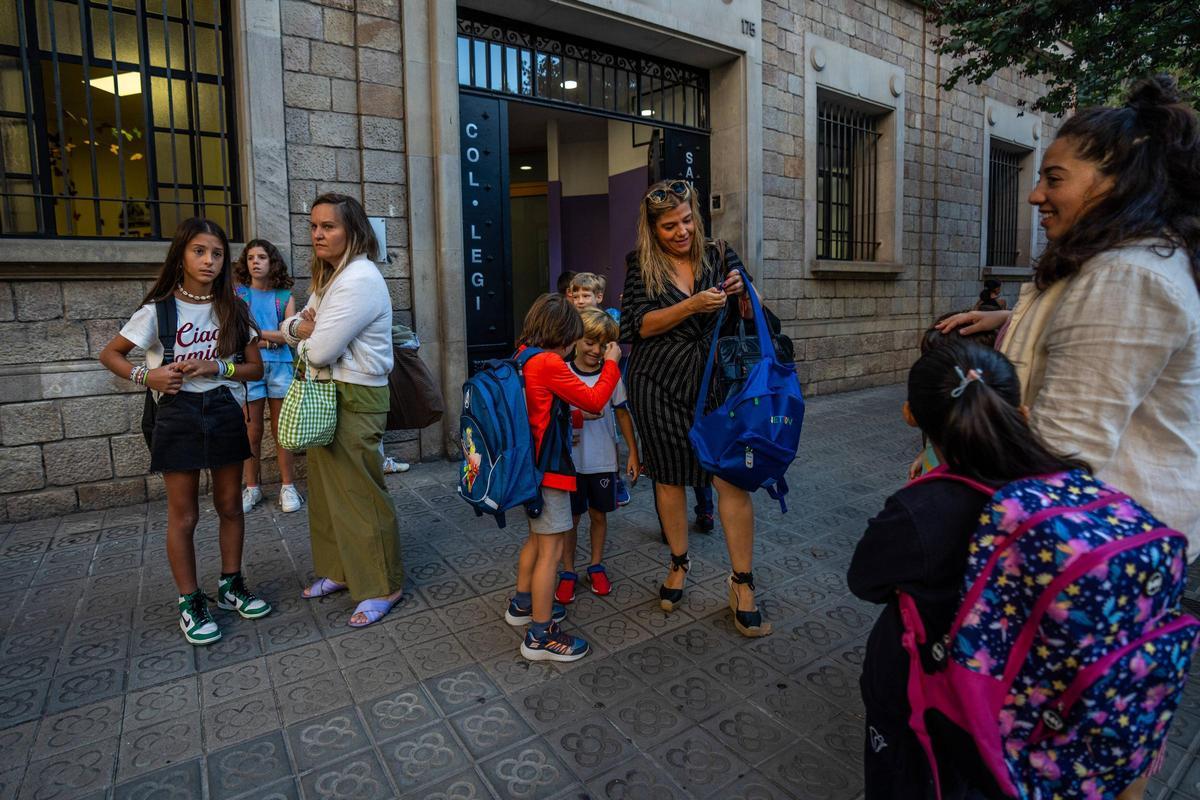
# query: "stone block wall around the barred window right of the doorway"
{"points": [[860, 333]]}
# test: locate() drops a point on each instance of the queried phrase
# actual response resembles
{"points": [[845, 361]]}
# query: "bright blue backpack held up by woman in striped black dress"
{"points": [[752, 438]]}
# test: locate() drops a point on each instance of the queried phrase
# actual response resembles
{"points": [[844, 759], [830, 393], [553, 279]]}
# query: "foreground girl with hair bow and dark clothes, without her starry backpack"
{"points": [[967, 400]]}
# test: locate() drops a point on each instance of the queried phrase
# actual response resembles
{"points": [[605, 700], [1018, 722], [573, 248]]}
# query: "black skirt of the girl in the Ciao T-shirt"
{"points": [[199, 431]]}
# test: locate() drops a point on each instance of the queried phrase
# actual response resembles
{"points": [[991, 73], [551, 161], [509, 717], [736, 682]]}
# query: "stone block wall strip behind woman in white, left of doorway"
{"points": [[345, 123]]}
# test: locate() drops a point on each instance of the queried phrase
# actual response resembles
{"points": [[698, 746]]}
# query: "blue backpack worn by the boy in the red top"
{"points": [[499, 467]]}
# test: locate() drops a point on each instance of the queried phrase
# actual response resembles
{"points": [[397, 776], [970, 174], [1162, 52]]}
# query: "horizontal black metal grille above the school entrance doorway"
{"points": [[505, 58]]}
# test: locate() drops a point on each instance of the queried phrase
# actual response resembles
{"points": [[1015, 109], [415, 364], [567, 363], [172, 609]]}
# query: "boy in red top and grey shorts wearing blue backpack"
{"points": [[551, 330]]}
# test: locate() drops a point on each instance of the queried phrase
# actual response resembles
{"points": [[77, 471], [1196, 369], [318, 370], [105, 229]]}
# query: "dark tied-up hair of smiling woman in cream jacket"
{"points": [[1151, 148]]}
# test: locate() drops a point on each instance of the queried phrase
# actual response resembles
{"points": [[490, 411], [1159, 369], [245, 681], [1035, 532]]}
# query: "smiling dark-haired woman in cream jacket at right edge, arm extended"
{"points": [[1107, 339]]}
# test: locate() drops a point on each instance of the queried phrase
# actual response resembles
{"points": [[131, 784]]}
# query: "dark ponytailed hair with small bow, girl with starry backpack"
{"points": [[982, 434]]}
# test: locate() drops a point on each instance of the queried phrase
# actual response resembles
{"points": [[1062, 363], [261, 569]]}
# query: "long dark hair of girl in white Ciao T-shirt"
{"points": [[232, 315]]}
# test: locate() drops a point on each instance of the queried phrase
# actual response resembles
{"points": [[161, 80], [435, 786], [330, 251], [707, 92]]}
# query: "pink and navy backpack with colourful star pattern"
{"points": [[1069, 655]]}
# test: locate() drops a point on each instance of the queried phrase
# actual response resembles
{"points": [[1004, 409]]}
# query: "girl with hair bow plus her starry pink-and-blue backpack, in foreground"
{"points": [[1033, 645]]}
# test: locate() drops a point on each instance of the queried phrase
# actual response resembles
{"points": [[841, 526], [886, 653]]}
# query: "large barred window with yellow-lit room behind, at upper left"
{"points": [[117, 118]]}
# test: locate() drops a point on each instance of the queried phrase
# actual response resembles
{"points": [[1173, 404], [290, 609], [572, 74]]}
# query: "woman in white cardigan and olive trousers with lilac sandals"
{"points": [[346, 329]]}
